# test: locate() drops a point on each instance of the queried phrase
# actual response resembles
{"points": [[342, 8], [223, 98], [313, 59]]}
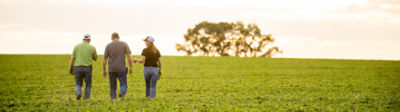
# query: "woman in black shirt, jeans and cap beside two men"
{"points": [[152, 66]]}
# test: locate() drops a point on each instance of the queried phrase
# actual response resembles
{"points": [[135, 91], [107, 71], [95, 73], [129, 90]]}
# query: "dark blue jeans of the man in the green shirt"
{"points": [[80, 75]]}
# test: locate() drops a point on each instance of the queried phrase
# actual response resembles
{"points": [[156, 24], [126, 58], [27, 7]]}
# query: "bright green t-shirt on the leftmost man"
{"points": [[83, 54]]}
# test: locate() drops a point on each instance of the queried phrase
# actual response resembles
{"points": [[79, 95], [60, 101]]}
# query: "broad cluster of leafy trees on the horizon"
{"points": [[227, 39]]}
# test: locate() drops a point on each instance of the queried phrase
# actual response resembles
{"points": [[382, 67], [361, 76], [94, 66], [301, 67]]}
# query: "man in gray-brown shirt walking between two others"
{"points": [[115, 53]]}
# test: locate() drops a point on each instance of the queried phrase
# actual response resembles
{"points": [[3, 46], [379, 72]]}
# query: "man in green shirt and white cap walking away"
{"points": [[81, 60]]}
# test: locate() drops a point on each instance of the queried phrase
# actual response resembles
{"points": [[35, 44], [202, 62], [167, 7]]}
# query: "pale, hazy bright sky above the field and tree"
{"points": [[338, 29]]}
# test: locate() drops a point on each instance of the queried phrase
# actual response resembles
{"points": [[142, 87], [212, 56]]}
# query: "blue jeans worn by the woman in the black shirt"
{"points": [[150, 77]]}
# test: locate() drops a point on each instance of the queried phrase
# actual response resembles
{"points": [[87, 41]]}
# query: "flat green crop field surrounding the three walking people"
{"points": [[42, 82]]}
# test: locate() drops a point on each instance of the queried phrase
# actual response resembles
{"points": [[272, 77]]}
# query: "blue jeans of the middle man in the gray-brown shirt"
{"points": [[121, 76]]}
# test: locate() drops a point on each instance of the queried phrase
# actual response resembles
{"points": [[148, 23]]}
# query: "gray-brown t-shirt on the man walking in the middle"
{"points": [[116, 51]]}
